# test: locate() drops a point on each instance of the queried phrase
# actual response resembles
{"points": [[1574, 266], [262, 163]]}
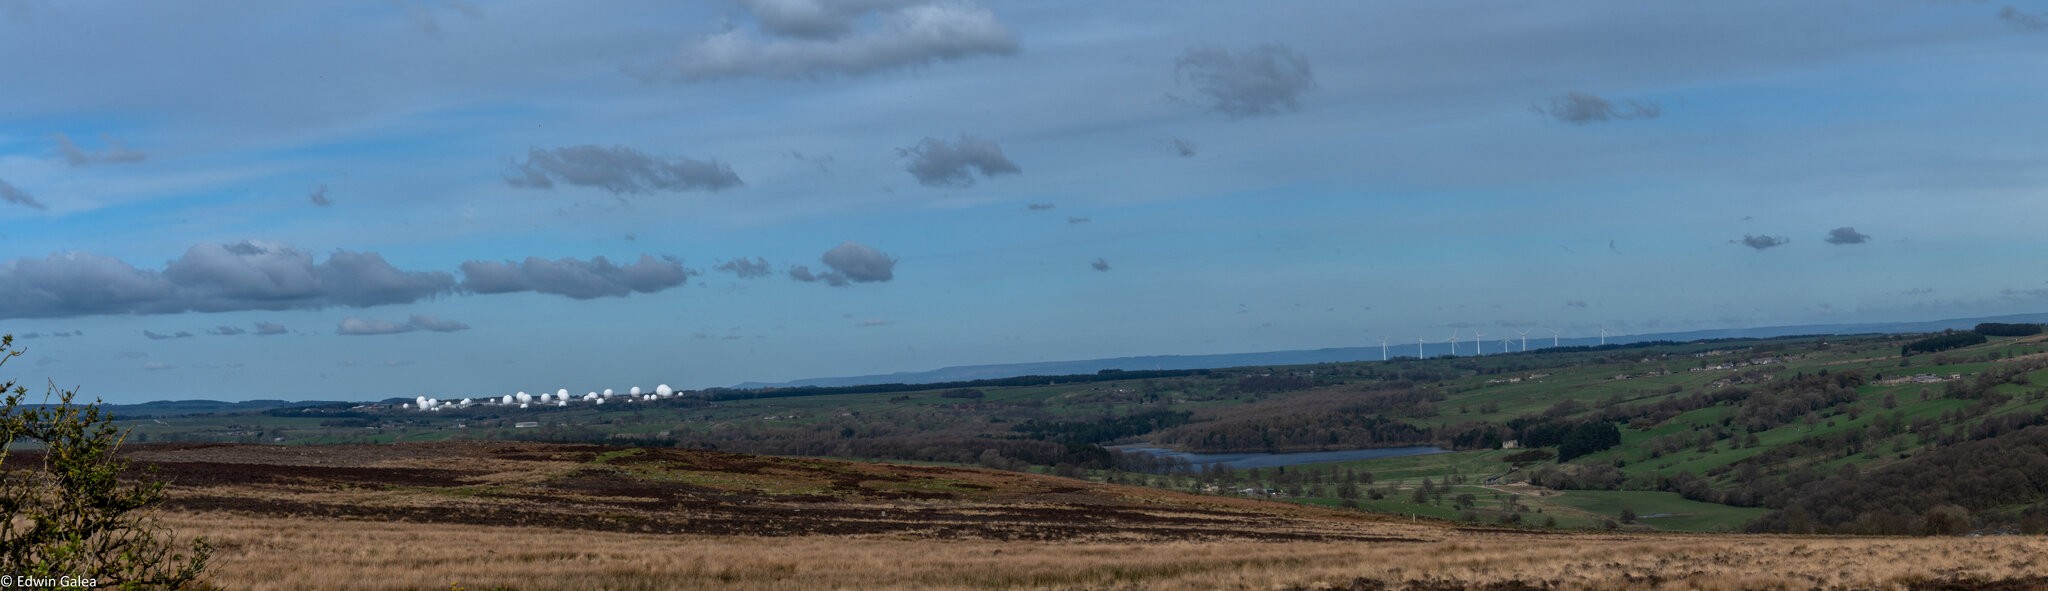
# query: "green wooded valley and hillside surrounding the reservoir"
{"points": [[1707, 437]]}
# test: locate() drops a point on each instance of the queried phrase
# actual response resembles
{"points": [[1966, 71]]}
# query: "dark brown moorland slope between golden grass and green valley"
{"points": [[710, 494]]}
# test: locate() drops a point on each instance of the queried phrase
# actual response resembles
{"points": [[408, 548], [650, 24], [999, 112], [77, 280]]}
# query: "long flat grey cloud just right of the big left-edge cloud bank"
{"points": [[577, 279]]}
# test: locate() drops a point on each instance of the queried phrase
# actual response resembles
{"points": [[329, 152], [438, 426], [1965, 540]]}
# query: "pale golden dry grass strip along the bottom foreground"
{"points": [[284, 553]]}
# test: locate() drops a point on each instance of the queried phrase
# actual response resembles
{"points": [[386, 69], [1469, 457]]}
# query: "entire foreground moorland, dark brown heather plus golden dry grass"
{"points": [[536, 516]]}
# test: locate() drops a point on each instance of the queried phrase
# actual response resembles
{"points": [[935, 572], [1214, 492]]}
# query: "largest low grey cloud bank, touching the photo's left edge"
{"points": [[210, 277]]}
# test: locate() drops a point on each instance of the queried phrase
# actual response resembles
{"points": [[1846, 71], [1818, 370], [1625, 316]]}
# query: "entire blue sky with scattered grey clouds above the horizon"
{"points": [[462, 199]]}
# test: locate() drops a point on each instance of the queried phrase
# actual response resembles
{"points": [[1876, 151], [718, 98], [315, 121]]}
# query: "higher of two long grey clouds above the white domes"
{"points": [[620, 169]]}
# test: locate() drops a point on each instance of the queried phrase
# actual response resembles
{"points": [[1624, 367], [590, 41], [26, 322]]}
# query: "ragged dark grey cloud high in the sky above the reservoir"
{"points": [[1261, 81]]}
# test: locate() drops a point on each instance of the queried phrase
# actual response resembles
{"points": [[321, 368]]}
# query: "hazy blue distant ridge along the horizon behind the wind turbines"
{"points": [[1361, 355]]}
